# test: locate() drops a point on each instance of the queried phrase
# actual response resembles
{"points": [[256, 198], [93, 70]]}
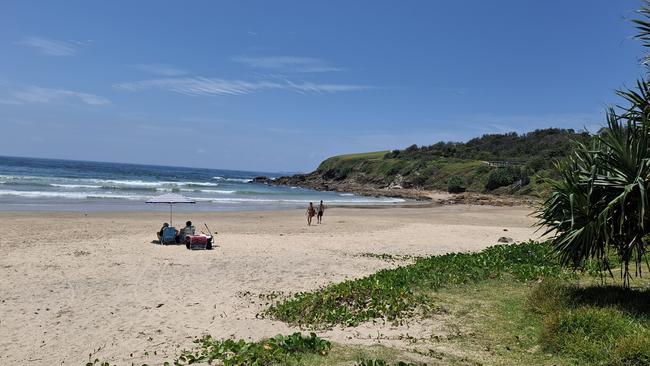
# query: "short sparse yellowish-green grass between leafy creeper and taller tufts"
{"points": [[488, 323]]}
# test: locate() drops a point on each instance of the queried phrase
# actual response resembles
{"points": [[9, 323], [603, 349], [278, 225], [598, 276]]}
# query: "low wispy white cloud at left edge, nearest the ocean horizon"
{"points": [[35, 94]]}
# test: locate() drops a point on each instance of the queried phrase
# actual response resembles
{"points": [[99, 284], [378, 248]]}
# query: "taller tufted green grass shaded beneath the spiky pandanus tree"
{"points": [[594, 324]]}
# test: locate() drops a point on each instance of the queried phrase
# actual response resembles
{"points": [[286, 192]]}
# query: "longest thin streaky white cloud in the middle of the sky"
{"points": [[198, 86]]}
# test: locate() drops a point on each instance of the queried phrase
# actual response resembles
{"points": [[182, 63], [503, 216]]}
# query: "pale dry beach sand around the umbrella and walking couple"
{"points": [[74, 286]]}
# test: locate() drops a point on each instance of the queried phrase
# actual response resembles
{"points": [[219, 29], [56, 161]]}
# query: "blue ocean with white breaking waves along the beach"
{"points": [[29, 184]]}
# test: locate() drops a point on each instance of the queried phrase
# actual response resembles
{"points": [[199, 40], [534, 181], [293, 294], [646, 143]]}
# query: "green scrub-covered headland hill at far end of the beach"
{"points": [[498, 163]]}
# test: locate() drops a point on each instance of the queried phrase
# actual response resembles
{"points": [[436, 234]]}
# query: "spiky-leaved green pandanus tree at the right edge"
{"points": [[600, 203]]}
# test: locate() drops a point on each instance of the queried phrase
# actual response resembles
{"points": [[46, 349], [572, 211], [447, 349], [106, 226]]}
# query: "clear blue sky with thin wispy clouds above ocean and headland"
{"points": [[281, 85]]}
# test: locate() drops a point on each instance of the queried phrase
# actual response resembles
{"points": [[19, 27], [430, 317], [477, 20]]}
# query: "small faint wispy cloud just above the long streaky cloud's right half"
{"points": [[287, 63]]}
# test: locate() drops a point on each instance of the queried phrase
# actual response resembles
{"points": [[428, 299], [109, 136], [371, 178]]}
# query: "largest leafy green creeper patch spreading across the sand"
{"points": [[396, 293]]}
